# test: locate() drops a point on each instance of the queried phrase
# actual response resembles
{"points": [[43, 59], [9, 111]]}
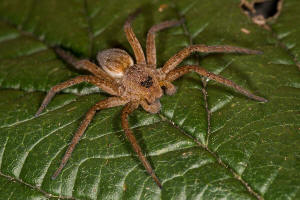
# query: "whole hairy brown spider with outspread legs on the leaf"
{"points": [[137, 84]]}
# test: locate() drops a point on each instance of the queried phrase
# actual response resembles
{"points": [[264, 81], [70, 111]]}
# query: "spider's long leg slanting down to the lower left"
{"points": [[107, 103]]}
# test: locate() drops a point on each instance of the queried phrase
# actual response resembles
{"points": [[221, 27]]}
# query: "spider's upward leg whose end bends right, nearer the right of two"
{"points": [[150, 45]]}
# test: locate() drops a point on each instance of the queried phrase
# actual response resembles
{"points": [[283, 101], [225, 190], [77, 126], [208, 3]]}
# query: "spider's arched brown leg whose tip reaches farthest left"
{"points": [[105, 85]]}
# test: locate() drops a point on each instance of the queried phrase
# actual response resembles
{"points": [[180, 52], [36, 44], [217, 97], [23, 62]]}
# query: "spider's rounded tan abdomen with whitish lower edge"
{"points": [[114, 61]]}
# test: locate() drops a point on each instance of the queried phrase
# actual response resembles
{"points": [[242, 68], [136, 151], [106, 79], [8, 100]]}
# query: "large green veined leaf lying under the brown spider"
{"points": [[219, 146]]}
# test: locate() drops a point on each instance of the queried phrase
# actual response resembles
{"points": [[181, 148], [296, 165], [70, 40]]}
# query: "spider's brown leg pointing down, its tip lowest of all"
{"points": [[125, 112]]}
